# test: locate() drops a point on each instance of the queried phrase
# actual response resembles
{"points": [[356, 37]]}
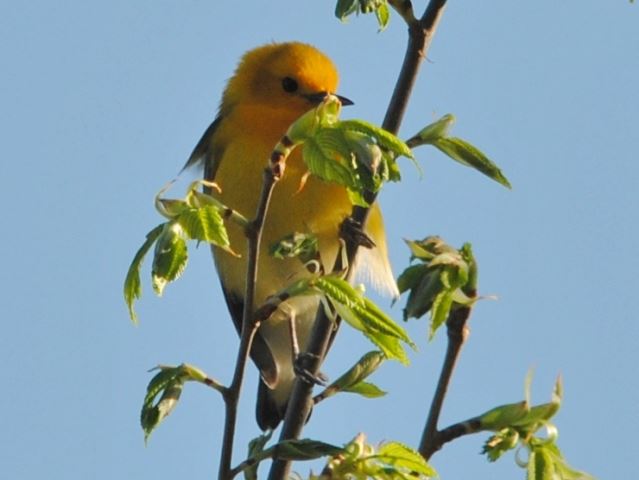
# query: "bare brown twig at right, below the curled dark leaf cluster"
{"points": [[457, 334]]}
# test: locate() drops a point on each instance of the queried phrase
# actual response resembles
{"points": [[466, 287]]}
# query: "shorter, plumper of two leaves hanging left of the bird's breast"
{"points": [[170, 256]]}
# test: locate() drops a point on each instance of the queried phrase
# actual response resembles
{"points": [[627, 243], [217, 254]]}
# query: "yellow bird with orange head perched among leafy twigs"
{"points": [[272, 86]]}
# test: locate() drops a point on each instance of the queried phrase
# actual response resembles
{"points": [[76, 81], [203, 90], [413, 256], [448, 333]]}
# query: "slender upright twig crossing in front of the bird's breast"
{"points": [[250, 324]]}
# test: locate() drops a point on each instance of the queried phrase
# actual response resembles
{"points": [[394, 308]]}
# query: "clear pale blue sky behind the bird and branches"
{"points": [[102, 103]]}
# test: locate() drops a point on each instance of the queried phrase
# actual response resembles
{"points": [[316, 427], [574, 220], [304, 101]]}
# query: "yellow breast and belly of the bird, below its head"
{"points": [[248, 137]]}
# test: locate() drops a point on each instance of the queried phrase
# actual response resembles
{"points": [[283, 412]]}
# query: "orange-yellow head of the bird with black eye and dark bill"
{"points": [[293, 77]]}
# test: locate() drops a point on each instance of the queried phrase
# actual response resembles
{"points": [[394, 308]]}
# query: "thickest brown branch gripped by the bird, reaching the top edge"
{"points": [[300, 403]]}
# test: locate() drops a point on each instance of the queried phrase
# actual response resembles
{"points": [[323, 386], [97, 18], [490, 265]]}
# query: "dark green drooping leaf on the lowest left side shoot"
{"points": [[168, 383]]}
